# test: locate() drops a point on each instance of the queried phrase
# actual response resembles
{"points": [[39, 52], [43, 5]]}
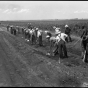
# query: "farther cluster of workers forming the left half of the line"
{"points": [[34, 35]]}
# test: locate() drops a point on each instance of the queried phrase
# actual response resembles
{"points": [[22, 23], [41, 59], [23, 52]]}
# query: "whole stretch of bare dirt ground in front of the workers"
{"points": [[22, 65]]}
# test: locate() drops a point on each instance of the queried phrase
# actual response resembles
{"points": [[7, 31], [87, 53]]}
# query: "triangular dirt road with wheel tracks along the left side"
{"points": [[13, 70]]}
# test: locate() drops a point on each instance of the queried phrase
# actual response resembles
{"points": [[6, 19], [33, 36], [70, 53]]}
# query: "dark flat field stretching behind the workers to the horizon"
{"points": [[75, 25]]}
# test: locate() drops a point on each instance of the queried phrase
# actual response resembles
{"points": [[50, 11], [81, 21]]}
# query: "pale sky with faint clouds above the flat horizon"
{"points": [[38, 10]]}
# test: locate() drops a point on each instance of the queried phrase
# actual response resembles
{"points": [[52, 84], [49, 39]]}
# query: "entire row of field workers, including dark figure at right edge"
{"points": [[34, 35]]}
